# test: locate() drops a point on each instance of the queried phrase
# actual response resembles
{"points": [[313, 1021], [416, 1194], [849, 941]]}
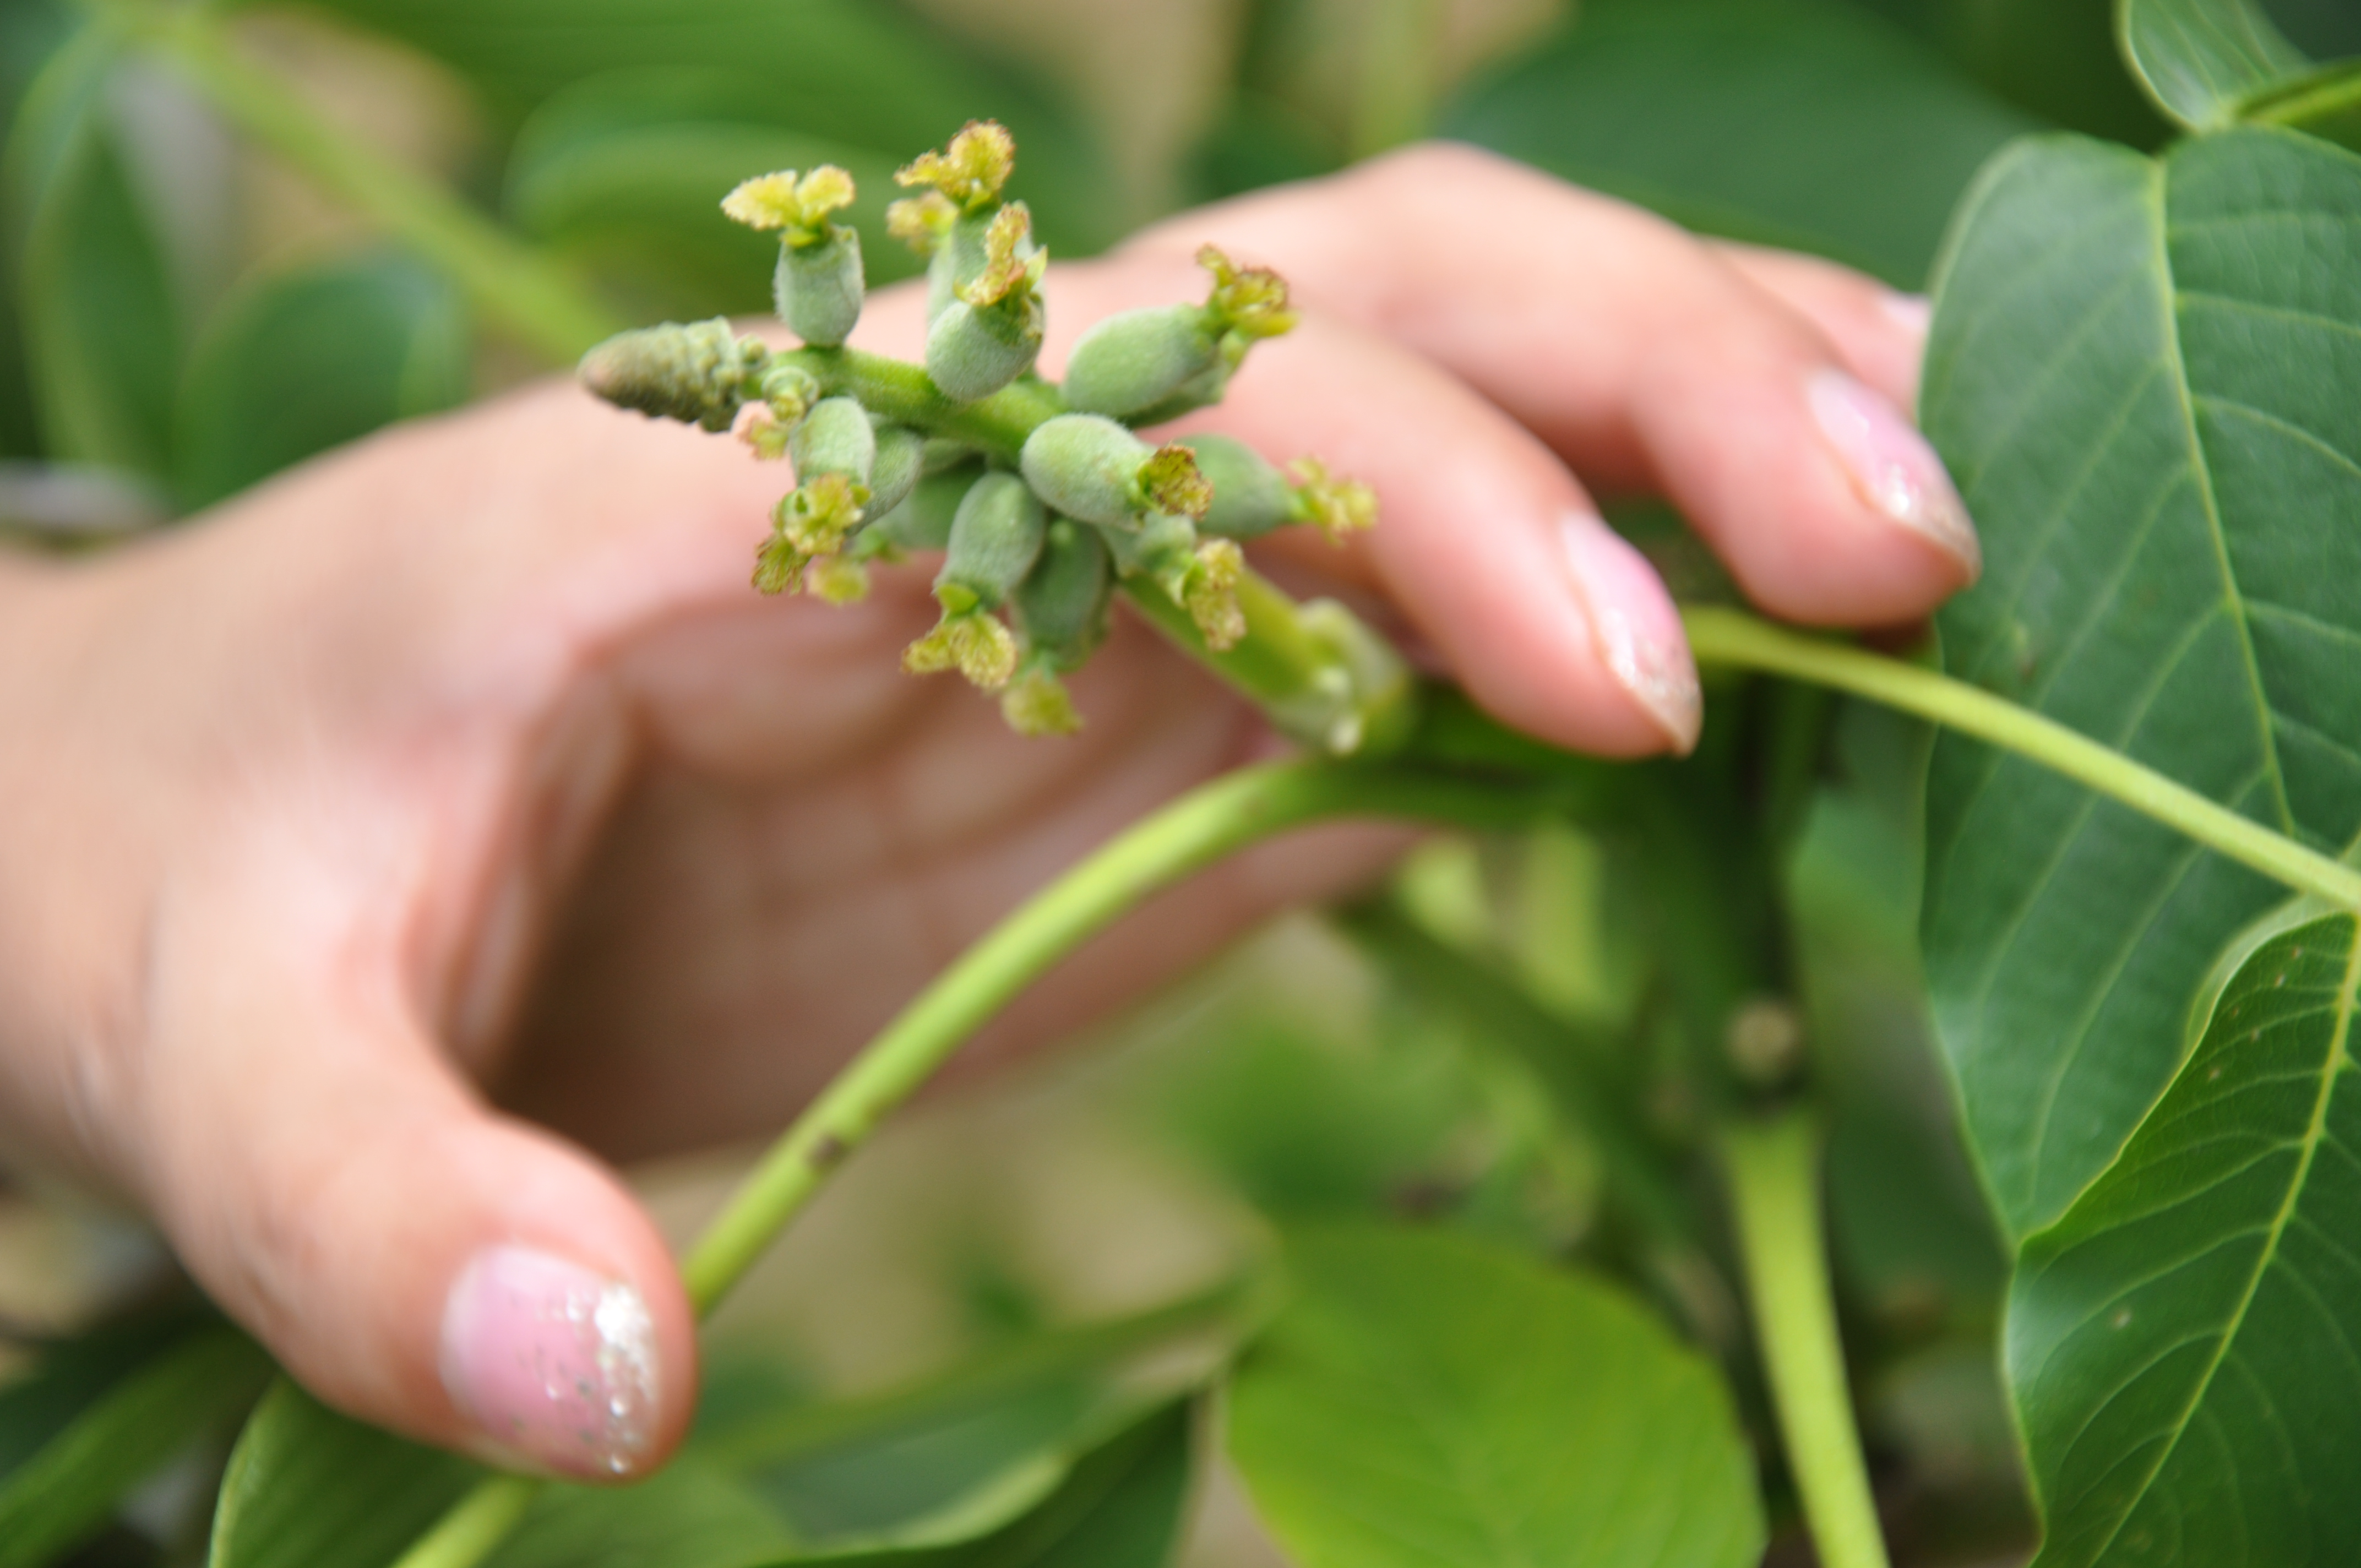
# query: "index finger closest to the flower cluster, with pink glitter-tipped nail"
{"points": [[1489, 544]]}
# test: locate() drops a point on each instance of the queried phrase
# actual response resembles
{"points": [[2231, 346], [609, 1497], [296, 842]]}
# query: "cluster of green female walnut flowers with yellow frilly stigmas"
{"points": [[1042, 499]]}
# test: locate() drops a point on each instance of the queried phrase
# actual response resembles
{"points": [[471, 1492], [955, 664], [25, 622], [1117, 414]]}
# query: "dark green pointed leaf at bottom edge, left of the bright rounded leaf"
{"points": [[1120, 1508]]}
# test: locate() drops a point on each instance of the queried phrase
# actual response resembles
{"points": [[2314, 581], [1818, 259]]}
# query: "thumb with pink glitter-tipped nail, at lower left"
{"points": [[412, 1257]]}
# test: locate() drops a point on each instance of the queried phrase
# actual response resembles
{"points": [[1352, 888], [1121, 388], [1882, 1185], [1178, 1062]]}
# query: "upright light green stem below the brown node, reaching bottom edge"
{"points": [[1774, 1170]]}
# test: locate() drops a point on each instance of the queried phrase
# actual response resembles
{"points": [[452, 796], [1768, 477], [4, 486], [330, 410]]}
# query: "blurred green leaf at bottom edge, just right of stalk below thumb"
{"points": [[684, 1517]]}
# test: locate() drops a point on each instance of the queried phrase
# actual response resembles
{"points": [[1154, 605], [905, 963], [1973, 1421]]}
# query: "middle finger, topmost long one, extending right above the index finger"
{"points": [[1642, 358]]}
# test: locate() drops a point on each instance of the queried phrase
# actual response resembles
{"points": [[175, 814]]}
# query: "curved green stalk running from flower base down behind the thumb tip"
{"points": [[1189, 835]]}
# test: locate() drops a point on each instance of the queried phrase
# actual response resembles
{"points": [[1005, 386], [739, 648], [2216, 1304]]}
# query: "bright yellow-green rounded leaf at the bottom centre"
{"points": [[1427, 1402]]}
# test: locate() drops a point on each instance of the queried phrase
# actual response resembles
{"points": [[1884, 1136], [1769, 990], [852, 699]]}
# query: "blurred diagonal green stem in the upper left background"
{"points": [[514, 287]]}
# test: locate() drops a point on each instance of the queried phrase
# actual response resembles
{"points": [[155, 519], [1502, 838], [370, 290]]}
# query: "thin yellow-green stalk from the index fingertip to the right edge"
{"points": [[1727, 636]]}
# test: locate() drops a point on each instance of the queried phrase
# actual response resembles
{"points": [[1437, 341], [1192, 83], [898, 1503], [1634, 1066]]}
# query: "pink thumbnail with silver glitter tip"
{"points": [[556, 1364]]}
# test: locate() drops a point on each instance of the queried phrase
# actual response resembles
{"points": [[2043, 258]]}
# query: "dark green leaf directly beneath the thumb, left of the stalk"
{"points": [[315, 1489]]}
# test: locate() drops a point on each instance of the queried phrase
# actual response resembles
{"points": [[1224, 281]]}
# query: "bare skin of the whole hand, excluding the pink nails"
{"points": [[447, 818]]}
